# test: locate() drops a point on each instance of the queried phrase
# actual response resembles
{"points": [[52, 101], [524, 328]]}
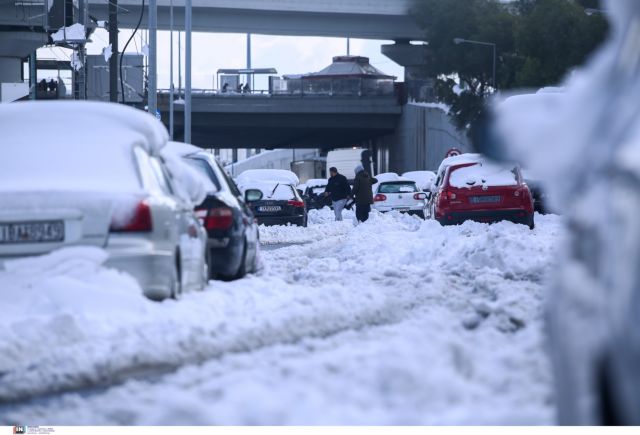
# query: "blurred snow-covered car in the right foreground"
{"points": [[583, 142]]}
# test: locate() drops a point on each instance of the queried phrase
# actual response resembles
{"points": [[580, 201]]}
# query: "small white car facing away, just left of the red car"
{"points": [[395, 193]]}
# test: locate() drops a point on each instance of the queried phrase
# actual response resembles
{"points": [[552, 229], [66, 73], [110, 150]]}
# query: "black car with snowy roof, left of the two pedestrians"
{"points": [[275, 203]]}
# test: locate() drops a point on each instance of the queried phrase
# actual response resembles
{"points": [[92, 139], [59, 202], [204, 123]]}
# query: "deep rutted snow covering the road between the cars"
{"points": [[395, 321]]}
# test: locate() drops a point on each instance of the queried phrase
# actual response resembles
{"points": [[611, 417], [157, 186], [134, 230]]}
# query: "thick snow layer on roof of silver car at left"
{"points": [[61, 123]]}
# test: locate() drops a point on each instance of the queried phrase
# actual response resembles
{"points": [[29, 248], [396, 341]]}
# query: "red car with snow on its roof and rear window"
{"points": [[469, 187]]}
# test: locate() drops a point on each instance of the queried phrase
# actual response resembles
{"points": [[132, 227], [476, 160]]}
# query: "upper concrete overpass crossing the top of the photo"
{"points": [[370, 19]]}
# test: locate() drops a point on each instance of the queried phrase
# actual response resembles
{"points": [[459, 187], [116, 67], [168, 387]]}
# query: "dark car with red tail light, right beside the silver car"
{"points": [[233, 244]]}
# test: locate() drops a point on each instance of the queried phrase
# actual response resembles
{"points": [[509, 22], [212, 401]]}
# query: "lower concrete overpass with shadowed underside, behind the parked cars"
{"points": [[220, 121]]}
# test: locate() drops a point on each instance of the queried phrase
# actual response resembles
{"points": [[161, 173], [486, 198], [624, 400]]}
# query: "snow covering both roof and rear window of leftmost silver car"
{"points": [[79, 146]]}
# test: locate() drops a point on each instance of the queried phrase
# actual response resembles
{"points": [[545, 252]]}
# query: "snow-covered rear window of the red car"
{"points": [[483, 174]]}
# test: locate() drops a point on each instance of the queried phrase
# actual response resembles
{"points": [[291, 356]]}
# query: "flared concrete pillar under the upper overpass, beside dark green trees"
{"points": [[418, 84]]}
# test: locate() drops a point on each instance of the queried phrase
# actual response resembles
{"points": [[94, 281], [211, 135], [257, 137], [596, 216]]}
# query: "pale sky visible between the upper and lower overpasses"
{"points": [[211, 51]]}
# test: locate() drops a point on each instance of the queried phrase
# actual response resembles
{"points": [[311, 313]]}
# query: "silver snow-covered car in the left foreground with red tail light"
{"points": [[93, 174]]}
